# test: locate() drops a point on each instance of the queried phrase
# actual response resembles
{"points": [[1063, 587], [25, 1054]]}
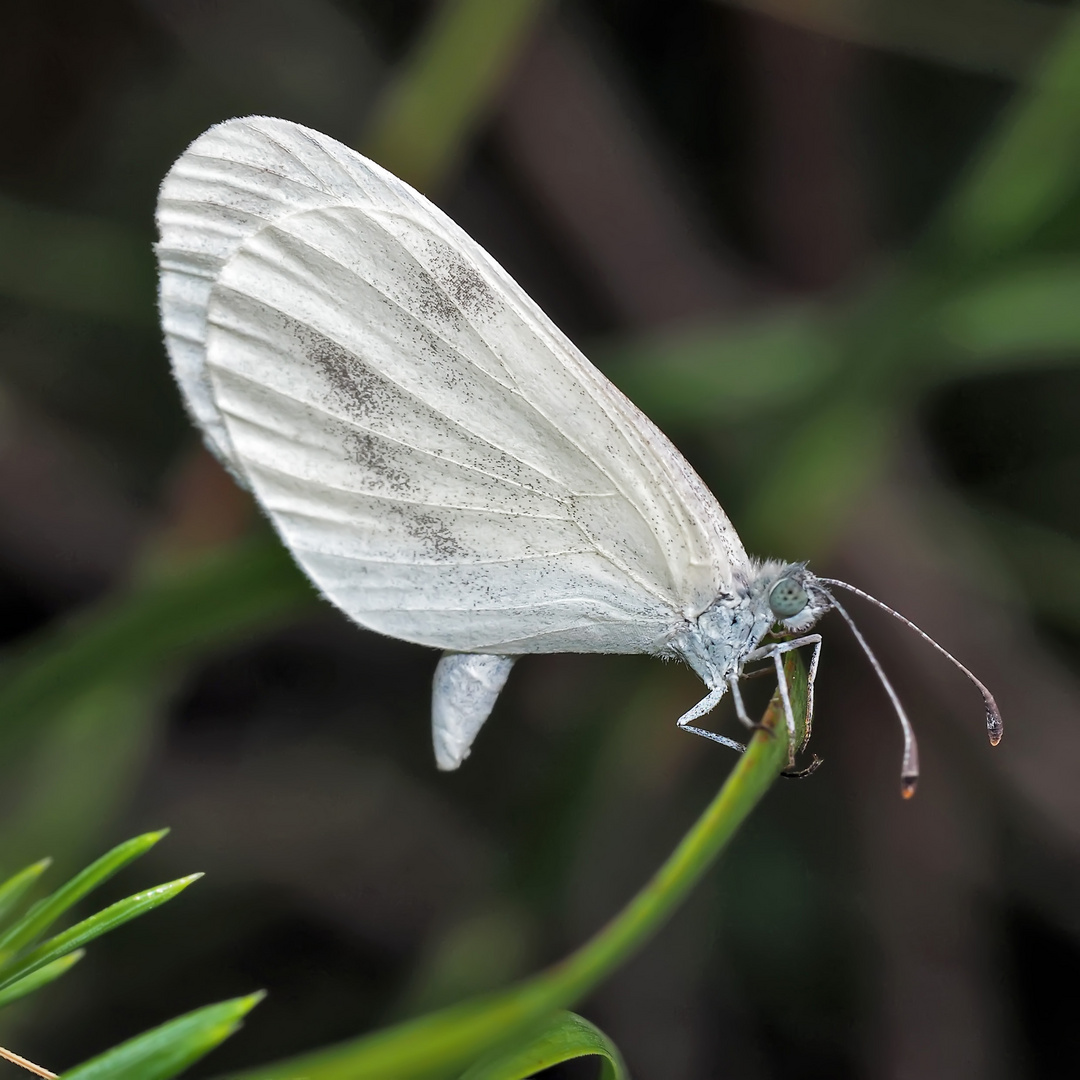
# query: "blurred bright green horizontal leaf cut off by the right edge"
{"points": [[1030, 313]]}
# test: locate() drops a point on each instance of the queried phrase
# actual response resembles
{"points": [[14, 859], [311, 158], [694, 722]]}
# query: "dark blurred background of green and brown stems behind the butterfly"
{"points": [[834, 251]]}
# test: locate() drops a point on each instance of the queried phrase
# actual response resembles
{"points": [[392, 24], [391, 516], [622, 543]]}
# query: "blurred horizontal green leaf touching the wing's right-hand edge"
{"points": [[710, 374]]}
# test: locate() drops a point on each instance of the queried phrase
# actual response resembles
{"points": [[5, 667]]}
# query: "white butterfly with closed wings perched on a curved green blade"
{"points": [[441, 461]]}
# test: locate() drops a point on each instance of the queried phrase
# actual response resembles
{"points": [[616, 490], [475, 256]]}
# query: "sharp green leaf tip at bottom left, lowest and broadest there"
{"points": [[168, 1050]]}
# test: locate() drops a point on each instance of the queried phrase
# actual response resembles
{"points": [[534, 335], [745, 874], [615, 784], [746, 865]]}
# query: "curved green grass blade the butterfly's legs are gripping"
{"points": [[443, 1044]]}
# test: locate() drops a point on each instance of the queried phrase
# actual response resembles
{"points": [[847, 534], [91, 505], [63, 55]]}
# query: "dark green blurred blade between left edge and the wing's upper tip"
{"points": [[75, 264]]}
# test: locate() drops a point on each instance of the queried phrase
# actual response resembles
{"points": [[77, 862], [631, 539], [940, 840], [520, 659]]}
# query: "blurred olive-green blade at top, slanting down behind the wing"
{"points": [[440, 93]]}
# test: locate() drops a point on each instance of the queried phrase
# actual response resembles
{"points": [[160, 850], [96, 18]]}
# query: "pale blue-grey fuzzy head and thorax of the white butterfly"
{"points": [[767, 597]]}
